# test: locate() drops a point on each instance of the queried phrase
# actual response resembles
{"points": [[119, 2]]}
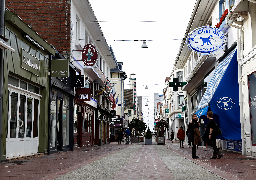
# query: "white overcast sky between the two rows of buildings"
{"points": [[125, 20]]}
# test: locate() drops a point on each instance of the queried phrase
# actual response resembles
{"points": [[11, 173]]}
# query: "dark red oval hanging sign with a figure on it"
{"points": [[89, 55]]}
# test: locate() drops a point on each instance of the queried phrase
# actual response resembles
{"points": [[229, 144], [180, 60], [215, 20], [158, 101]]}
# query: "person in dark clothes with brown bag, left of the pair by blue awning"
{"points": [[194, 134]]}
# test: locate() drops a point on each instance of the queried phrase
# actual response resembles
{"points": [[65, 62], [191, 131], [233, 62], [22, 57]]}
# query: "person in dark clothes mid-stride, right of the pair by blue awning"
{"points": [[211, 129]]}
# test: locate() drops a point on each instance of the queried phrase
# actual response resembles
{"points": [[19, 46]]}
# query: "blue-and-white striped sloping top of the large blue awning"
{"points": [[215, 81]]}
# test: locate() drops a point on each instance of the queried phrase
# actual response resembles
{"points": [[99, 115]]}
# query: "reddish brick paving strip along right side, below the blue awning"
{"points": [[231, 166]]}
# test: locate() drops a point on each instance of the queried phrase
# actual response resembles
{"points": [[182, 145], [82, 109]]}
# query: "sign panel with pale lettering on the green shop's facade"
{"points": [[30, 62]]}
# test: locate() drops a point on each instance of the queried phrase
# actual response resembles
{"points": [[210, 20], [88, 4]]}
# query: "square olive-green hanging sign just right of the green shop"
{"points": [[60, 68]]}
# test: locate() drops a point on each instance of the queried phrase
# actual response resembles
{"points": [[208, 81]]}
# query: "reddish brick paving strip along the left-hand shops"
{"points": [[54, 165]]}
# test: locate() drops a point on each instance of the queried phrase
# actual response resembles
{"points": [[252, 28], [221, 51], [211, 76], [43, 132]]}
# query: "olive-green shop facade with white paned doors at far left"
{"points": [[26, 91]]}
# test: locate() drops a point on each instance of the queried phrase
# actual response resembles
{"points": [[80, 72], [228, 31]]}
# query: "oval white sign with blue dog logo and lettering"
{"points": [[205, 39]]}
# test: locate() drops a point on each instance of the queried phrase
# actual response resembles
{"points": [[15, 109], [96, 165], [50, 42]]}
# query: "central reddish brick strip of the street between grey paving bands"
{"points": [[145, 164]]}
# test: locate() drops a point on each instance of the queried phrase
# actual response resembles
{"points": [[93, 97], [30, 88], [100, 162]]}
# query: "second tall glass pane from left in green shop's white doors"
{"points": [[21, 120]]}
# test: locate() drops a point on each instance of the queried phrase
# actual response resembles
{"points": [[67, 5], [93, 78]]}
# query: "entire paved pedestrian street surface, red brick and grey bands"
{"points": [[133, 161]]}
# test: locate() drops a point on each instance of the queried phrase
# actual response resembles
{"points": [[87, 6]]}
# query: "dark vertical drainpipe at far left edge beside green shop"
{"points": [[2, 7]]}
